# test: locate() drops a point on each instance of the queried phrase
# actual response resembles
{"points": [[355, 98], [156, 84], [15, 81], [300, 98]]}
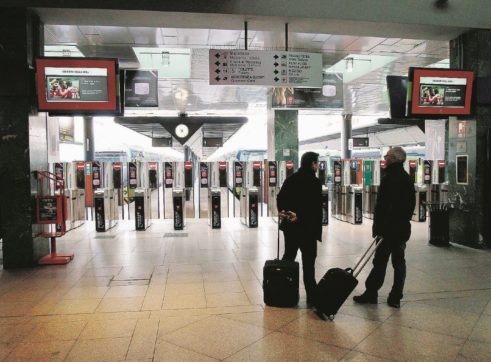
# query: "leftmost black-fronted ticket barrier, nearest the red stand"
{"points": [[106, 209]]}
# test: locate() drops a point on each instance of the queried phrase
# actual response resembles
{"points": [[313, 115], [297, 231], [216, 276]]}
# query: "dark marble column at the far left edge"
{"points": [[23, 143]]}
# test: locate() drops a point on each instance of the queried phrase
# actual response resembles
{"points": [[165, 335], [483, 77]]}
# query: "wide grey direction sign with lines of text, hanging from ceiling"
{"points": [[267, 68]]}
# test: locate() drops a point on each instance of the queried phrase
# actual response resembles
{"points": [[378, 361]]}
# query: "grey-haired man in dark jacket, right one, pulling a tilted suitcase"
{"points": [[393, 212]]}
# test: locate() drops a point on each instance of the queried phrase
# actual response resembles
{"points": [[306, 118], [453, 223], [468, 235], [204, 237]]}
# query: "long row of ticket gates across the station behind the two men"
{"points": [[106, 192]]}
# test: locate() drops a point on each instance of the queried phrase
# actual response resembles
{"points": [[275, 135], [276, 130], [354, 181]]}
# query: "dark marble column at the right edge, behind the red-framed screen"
{"points": [[469, 219]]}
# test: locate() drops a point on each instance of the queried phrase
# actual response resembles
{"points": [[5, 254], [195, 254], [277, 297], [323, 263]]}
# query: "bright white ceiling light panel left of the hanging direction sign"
{"points": [[169, 62]]}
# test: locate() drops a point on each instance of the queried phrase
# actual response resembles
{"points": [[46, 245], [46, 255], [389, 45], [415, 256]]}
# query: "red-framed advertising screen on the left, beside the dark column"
{"points": [[76, 84]]}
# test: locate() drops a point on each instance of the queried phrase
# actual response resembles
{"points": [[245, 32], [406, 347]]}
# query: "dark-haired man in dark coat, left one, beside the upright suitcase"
{"points": [[299, 201]]}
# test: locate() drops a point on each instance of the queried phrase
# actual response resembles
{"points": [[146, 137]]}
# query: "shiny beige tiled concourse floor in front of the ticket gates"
{"points": [[195, 295]]}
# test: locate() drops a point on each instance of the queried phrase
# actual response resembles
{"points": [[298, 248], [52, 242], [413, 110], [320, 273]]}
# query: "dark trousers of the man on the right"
{"points": [[375, 279]]}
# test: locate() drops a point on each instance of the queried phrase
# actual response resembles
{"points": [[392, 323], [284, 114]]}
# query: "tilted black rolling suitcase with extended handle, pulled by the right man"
{"points": [[337, 284]]}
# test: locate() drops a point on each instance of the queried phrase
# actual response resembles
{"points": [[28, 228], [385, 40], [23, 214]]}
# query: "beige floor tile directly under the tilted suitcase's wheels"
{"points": [[345, 331]]}
